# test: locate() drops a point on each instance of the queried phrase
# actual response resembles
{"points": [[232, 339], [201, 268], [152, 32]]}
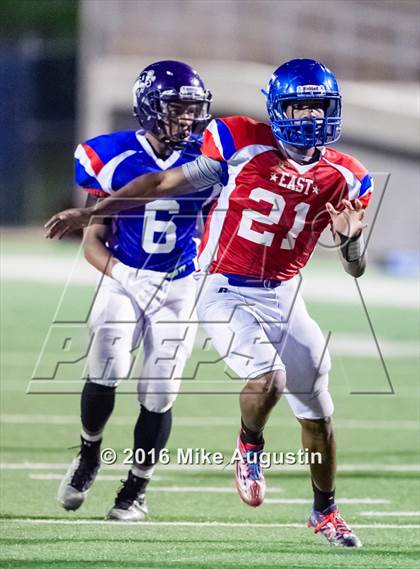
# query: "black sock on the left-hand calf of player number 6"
{"points": [[96, 405]]}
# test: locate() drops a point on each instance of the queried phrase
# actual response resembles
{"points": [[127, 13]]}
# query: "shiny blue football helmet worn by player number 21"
{"points": [[299, 80]]}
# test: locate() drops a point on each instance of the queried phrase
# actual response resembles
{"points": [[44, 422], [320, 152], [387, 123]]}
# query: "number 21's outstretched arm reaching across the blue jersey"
{"points": [[195, 175]]}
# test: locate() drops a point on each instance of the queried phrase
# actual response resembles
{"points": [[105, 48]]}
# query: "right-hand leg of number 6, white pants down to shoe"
{"points": [[167, 344]]}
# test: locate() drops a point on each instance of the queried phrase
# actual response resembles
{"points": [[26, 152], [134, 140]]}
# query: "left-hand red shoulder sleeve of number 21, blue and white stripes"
{"points": [[224, 138]]}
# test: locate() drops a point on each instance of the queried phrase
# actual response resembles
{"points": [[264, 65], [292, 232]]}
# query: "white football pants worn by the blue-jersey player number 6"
{"points": [[118, 324]]}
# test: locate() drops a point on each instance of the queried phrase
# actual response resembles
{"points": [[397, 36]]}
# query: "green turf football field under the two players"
{"points": [[196, 518]]}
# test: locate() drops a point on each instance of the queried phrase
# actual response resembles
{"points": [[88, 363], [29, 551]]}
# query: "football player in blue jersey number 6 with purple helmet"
{"points": [[147, 293]]}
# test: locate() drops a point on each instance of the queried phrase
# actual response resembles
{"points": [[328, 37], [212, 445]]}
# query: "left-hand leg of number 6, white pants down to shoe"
{"points": [[112, 324]]}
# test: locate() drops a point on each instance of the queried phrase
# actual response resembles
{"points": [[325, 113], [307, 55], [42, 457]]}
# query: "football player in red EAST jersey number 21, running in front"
{"points": [[282, 187]]}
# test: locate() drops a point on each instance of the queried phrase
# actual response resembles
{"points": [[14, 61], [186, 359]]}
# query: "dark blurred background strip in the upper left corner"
{"points": [[38, 79]]}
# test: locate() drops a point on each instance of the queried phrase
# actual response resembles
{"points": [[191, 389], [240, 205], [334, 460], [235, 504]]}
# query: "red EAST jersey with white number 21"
{"points": [[271, 210]]}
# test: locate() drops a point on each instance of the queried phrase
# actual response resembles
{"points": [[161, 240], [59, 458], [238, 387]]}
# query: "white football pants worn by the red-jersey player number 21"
{"points": [[257, 330]]}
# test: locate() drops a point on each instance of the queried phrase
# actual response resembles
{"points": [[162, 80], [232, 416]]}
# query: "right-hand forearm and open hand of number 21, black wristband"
{"points": [[347, 227]]}
